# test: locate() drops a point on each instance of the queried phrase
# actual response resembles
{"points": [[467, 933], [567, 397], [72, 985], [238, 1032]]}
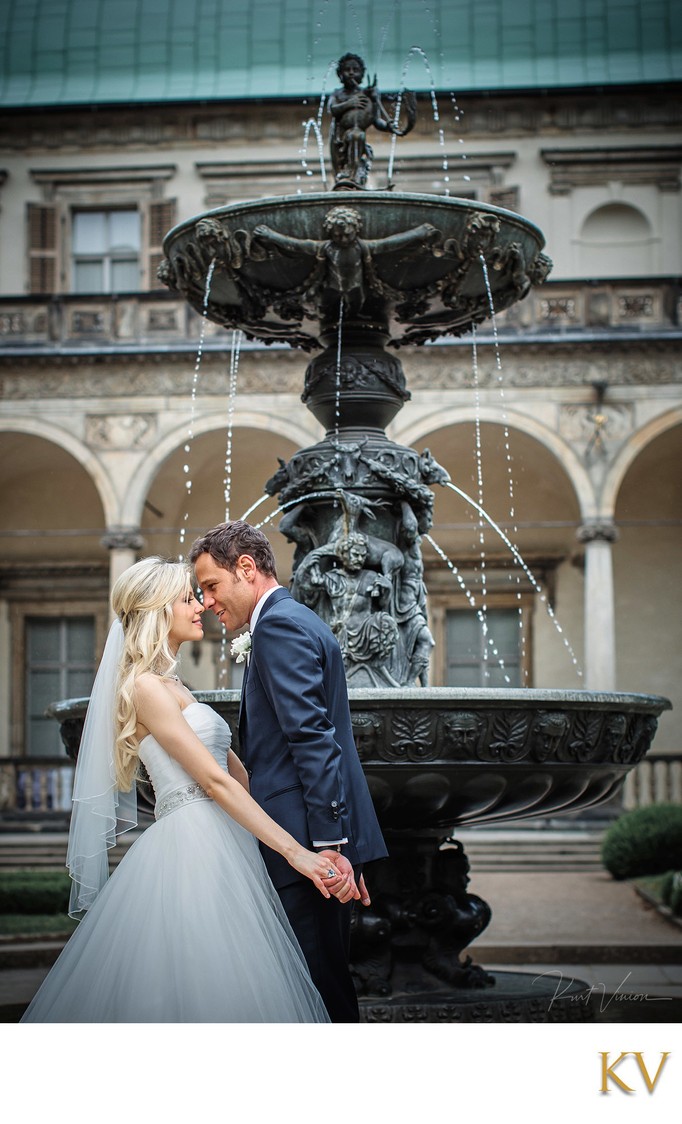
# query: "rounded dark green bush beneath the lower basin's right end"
{"points": [[644, 841]]}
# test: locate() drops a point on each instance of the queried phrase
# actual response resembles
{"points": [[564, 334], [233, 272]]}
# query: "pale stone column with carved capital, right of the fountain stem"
{"points": [[601, 615]]}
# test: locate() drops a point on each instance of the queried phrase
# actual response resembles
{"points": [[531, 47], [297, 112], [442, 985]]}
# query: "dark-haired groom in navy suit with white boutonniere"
{"points": [[297, 742]]}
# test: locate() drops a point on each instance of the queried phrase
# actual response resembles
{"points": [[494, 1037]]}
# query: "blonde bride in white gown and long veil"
{"points": [[189, 928]]}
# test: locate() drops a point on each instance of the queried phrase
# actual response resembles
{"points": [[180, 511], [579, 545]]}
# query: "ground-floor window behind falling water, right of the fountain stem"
{"points": [[479, 657]]}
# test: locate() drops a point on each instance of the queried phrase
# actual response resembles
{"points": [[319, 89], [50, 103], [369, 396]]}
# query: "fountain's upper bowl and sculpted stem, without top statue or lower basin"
{"points": [[351, 279]]}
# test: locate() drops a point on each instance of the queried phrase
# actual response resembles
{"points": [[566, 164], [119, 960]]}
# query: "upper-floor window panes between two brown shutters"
{"points": [[106, 248]]}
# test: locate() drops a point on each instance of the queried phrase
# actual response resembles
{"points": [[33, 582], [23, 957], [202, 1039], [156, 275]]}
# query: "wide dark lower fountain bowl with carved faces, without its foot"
{"points": [[441, 758]]}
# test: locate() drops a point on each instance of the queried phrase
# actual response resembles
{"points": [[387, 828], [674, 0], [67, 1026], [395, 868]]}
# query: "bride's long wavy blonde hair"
{"points": [[143, 601]]}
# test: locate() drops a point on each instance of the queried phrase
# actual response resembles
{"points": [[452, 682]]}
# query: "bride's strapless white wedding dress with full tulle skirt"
{"points": [[189, 928]]}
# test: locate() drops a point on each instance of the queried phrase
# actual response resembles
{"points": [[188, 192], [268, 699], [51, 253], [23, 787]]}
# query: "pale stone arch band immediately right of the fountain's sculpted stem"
{"points": [[577, 474]]}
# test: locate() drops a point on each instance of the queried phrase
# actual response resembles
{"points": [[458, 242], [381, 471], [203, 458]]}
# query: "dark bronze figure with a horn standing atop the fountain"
{"points": [[354, 112]]}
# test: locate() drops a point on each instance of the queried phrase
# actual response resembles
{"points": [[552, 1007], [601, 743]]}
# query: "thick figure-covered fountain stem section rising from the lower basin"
{"points": [[358, 561]]}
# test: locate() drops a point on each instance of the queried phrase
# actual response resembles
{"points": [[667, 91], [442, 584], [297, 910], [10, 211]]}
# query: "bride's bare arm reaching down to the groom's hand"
{"points": [[162, 715]]}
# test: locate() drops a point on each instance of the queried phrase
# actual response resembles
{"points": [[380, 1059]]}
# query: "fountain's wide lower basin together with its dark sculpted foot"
{"points": [[438, 759]]}
